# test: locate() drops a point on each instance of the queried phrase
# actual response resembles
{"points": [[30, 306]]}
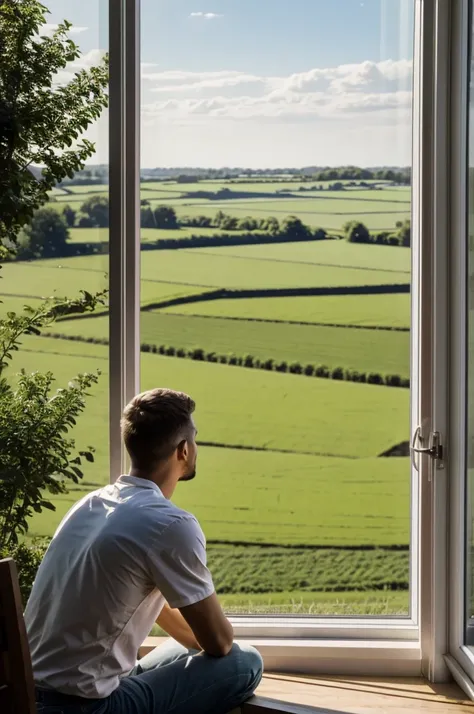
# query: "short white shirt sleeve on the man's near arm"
{"points": [[179, 564]]}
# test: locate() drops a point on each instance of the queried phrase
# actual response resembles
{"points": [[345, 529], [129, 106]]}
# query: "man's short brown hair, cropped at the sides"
{"points": [[154, 423]]}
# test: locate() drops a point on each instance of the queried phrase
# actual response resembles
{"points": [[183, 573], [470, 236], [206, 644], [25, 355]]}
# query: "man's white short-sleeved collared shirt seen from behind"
{"points": [[116, 557]]}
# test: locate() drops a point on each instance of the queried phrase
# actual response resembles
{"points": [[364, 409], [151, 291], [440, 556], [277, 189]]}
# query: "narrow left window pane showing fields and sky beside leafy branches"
{"points": [[66, 252]]}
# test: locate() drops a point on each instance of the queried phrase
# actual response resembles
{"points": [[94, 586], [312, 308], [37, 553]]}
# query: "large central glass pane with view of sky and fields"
{"points": [[276, 272]]}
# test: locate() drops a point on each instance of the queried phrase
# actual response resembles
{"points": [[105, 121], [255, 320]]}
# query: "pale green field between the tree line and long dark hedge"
{"points": [[195, 268]]}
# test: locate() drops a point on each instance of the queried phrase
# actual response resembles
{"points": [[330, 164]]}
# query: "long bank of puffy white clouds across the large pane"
{"points": [[368, 87]]}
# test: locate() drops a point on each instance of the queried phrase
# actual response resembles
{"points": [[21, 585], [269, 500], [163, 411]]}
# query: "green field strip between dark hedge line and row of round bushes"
{"points": [[381, 351]]}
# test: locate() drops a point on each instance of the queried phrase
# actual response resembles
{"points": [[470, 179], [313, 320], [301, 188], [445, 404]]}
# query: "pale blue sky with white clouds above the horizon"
{"points": [[264, 83]]}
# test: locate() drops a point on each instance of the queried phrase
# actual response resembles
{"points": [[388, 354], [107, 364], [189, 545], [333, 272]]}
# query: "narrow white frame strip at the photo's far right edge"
{"points": [[460, 659]]}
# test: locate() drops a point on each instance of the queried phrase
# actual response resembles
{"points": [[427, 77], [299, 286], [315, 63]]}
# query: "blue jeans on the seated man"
{"points": [[172, 680]]}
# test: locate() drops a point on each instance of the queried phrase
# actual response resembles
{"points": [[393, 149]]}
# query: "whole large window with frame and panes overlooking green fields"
{"points": [[234, 276]]}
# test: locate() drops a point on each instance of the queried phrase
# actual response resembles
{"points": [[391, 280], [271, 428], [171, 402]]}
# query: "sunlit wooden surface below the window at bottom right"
{"points": [[345, 695]]}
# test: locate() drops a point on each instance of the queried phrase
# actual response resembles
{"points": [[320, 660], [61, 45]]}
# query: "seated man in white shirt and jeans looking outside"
{"points": [[124, 557]]}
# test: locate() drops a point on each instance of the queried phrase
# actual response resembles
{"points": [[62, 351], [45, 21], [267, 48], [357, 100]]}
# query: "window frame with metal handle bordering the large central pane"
{"points": [[384, 646]]}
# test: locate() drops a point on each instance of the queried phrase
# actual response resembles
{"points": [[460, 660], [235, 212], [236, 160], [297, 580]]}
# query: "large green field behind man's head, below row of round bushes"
{"points": [[301, 491]]}
